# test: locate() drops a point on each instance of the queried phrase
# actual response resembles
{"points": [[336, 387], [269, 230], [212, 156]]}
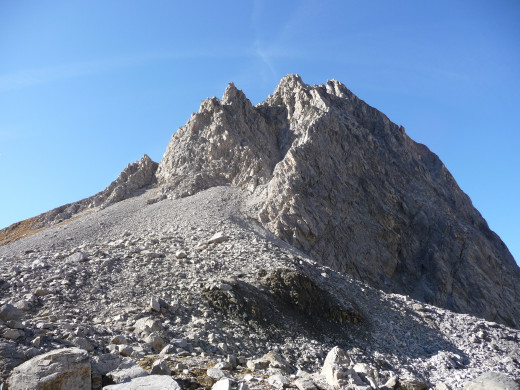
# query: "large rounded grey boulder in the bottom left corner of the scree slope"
{"points": [[59, 369]]}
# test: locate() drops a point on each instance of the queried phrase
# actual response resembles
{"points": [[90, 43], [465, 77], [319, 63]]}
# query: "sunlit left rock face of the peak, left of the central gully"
{"points": [[227, 141]]}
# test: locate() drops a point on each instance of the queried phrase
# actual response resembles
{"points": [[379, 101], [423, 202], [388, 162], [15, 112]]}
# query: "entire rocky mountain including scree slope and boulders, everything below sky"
{"points": [[239, 253]]}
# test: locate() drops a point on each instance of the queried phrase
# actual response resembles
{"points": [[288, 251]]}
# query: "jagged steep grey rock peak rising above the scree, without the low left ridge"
{"points": [[343, 183]]}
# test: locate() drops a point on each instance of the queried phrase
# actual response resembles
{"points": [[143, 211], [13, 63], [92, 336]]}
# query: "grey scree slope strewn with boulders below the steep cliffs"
{"points": [[154, 292]]}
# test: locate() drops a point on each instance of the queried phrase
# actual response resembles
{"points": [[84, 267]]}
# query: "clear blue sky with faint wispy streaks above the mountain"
{"points": [[87, 87]]}
